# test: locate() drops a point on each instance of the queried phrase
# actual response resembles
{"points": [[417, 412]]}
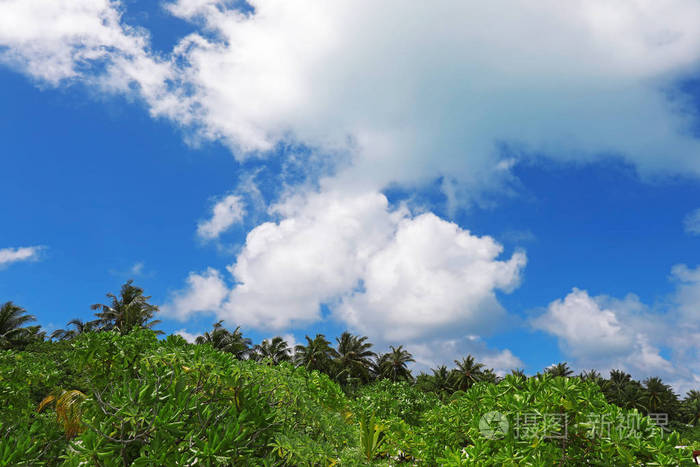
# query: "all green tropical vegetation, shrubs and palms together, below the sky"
{"points": [[112, 391]]}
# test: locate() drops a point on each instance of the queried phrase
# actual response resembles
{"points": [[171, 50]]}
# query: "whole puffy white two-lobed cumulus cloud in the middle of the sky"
{"points": [[386, 272]]}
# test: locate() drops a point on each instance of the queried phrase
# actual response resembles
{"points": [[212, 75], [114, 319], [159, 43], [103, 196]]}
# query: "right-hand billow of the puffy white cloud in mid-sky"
{"points": [[432, 277]]}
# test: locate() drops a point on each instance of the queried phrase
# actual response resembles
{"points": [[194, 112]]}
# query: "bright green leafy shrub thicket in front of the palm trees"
{"points": [[110, 399]]}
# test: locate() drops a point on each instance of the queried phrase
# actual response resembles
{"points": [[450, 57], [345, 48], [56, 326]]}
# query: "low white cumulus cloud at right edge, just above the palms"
{"points": [[607, 333]]}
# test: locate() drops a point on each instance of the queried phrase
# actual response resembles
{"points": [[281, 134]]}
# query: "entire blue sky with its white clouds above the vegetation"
{"points": [[488, 207]]}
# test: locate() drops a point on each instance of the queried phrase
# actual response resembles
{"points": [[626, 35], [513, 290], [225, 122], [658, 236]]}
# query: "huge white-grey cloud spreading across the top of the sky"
{"points": [[405, 92]]}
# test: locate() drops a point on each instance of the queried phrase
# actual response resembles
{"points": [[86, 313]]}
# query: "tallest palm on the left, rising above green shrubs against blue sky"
{"points": [[131, 309]]}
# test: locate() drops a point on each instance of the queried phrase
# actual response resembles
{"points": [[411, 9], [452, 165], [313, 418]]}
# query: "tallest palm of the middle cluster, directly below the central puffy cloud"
{"points": [[354, 358]]}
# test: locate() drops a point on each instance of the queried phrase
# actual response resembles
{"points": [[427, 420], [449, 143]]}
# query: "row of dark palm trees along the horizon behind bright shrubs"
{"points": [[350, 361]]}
